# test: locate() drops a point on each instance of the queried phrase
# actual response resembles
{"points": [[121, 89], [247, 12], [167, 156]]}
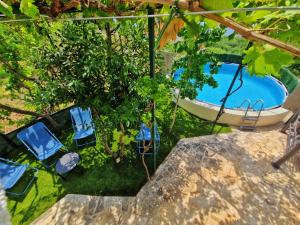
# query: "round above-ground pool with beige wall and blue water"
{"points": [[208, 101]]}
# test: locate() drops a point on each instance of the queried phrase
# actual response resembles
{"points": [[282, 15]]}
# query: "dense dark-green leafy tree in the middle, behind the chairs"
{"points": [[103, 65]]}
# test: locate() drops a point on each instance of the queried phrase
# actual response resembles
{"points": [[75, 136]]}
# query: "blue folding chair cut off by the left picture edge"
{"points": [[11, 172]]}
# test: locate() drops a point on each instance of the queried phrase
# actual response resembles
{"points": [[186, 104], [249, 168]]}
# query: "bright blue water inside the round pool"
{"points": [[254, 88]]}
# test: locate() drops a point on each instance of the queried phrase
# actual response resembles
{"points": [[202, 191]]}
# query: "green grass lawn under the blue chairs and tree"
{"points": [[98, 174]]}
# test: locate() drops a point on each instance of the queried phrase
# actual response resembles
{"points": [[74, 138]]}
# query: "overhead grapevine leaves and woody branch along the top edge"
{"points": [[237, 21]]}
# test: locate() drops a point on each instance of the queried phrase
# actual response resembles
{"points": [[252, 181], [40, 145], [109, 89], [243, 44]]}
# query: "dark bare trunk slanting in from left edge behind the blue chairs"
{"points": [[55, 126]]}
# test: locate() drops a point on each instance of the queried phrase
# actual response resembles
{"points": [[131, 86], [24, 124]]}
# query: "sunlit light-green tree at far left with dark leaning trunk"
{"points": [[18, 48]]}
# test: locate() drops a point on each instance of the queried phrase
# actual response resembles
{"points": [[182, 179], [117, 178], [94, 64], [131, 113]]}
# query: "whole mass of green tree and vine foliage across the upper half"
{"points": [[104, 63]]}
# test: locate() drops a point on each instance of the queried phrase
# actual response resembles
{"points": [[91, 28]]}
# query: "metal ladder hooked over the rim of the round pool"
{"points": [[252, 115]]}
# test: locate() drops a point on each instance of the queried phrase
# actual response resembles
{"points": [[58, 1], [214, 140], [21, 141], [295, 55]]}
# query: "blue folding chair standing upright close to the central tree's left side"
{"points": [[83, 125]]}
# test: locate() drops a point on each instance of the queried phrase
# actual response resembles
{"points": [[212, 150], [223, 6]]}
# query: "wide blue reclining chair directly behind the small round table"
{"points": [[40, 141]]}
